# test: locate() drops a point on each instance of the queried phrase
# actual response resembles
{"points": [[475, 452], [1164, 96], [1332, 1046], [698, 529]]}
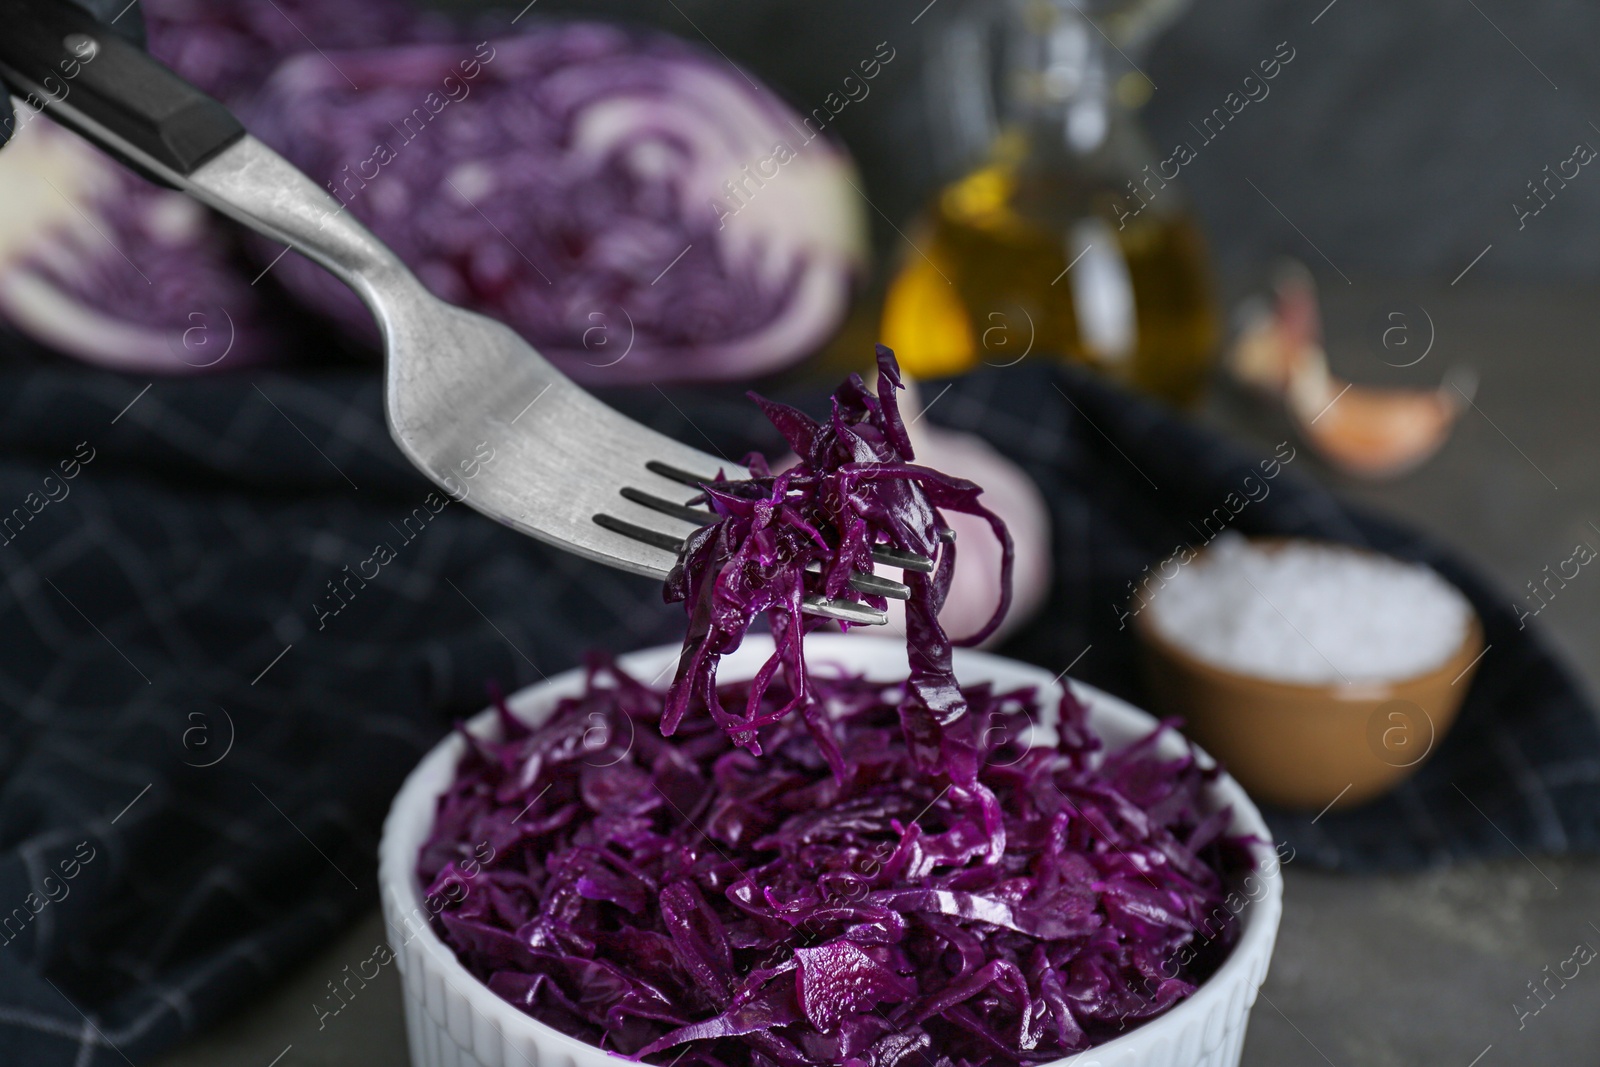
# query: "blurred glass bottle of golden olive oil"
{"points": [[1065, 242]]}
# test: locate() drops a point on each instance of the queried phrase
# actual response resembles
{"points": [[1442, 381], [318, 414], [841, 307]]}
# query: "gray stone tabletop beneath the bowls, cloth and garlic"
{"points": [[1410, 970]]}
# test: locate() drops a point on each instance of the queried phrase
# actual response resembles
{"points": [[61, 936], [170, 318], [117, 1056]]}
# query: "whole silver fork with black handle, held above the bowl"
{"points": [[468, 401]]}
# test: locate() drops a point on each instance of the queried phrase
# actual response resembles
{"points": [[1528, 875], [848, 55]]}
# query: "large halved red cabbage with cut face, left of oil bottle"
{"points": [[575, 185]]}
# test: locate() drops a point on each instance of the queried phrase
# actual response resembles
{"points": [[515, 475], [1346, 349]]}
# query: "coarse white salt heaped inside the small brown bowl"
{"points": [[1311, 613]]}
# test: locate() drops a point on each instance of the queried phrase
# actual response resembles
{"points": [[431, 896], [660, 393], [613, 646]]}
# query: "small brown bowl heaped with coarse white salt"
{"points": [[1319, 674]]}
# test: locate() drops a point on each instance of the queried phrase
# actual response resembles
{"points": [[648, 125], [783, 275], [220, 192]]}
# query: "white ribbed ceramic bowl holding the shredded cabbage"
{"points": [[455, 1021]]}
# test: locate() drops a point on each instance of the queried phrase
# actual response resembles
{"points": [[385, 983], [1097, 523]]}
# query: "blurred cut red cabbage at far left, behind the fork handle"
{"points": [[103, 266]]}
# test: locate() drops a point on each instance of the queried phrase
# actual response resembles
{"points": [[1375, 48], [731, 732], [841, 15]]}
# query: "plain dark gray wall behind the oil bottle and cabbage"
{"points": [[1398, 143]]}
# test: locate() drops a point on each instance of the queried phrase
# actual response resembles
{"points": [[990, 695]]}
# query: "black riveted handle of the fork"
{"points": [[60, 60]]}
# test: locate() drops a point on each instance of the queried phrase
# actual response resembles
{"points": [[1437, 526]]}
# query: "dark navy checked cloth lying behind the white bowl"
{"points": [[212, 679]]}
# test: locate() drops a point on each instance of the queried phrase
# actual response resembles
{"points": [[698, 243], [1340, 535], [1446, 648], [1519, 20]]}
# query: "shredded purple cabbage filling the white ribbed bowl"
{"points": [[681, 901]]}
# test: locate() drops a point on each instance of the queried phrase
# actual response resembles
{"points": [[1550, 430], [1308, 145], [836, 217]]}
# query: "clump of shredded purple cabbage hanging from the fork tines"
{"points": [[854, 489]]}
